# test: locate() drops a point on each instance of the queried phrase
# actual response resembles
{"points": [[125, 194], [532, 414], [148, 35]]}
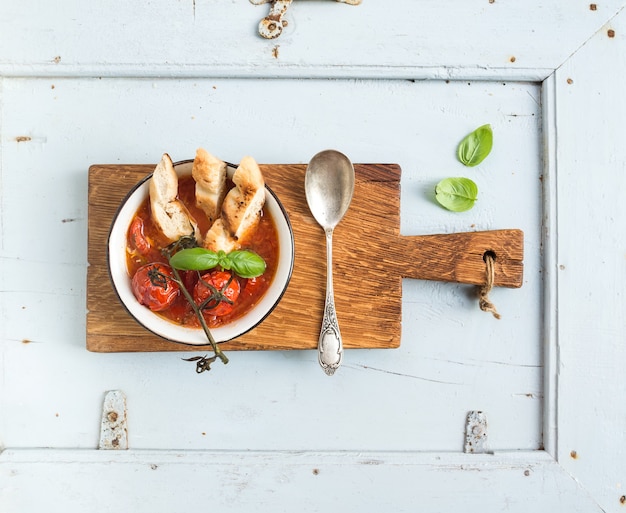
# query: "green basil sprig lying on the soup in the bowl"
{"points": [[244, 263]]}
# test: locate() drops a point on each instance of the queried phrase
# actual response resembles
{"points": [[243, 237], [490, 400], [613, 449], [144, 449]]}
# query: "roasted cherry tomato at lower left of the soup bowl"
{"points": [[153, 286]]}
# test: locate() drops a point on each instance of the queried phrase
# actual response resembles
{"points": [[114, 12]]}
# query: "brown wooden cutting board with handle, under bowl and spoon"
{"points": [[370, 260]]}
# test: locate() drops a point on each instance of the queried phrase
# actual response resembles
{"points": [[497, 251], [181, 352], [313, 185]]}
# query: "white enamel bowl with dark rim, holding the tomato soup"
{"points": [[116, 258]]}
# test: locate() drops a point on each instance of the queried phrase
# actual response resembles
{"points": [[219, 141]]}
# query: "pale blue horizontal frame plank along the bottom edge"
{"points": [[309, 481]]}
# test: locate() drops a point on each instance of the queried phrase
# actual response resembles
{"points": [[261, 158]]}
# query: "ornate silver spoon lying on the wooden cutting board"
{"points": [[329, 186]]}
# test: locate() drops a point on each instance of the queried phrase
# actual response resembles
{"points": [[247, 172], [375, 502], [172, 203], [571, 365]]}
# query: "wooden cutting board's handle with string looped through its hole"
{"points": [[460, 257]]}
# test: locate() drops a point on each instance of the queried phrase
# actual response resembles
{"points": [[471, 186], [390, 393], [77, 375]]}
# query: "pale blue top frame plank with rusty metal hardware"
{"points": [[412, 45]]}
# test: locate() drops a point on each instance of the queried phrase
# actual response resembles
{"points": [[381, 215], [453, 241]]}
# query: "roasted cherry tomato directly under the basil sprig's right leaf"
{"points": [[222, 287]]}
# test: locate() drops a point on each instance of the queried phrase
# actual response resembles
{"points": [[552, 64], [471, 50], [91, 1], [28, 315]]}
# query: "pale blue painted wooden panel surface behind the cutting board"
{"points": [[102, 84]]}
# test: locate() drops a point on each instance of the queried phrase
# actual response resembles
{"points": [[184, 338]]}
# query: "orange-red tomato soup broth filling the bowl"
{"points": [[264, 241]]}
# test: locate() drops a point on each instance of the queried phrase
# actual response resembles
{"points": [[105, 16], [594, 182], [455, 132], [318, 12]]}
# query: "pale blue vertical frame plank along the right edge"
{"points": [[590, 335]]}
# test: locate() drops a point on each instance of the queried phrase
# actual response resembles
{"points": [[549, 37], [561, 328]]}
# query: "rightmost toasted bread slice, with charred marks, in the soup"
{"points": [[241, 209]]}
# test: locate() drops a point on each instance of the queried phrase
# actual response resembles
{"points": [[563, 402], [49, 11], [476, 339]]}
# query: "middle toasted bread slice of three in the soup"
{"points": [[209, 173]]}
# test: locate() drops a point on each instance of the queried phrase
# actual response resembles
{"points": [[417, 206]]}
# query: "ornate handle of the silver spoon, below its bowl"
{"points": [[330, 346]]}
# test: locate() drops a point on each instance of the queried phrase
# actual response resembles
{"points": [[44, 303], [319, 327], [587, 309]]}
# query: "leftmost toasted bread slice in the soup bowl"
{"points": [[169, 214]]}
